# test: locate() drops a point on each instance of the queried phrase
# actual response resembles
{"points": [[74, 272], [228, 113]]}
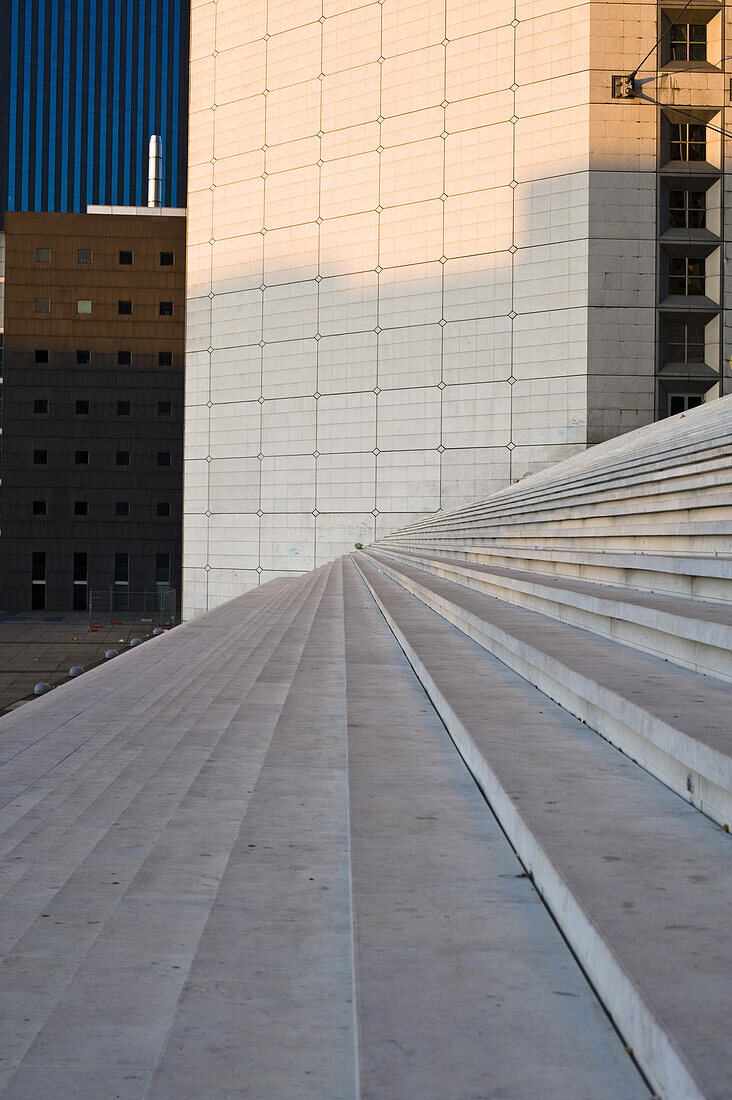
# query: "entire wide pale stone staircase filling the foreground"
{"points": [[445, 820]]}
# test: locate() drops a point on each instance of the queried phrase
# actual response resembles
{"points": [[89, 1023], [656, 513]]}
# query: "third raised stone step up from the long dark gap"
{"points": [[694, 634]]}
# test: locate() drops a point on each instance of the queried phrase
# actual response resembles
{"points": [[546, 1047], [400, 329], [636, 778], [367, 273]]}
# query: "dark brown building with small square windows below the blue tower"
{"points": [[93, 410]]}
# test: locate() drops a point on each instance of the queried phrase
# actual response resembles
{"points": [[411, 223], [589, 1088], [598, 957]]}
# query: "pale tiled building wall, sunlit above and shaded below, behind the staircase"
{"points": [[422, 263]]}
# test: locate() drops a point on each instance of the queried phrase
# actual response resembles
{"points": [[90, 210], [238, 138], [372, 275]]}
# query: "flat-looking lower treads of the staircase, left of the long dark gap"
{"points": [[291, 888]]}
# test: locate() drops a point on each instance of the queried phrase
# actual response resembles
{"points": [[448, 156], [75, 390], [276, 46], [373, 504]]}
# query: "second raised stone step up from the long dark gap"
{"points": [[673, 722]]}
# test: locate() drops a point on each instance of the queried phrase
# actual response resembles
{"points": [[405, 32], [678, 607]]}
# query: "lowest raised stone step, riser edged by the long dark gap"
{"points": [[636, 878]]}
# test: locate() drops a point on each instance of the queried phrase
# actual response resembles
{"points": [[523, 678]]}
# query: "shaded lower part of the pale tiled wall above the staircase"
{"points": [[326, 409]]}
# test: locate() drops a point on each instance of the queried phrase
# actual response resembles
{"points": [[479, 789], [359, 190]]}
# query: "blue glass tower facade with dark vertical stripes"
{"points": [[83, 85]]}
